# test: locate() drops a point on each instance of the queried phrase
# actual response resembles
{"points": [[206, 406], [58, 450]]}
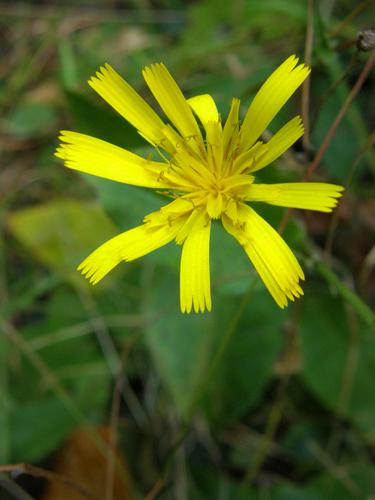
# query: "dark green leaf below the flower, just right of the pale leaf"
{"points": [[247, 363]]}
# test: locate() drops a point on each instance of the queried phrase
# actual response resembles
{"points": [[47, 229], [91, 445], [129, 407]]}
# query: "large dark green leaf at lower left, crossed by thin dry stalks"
{"points": [[41, 415]]}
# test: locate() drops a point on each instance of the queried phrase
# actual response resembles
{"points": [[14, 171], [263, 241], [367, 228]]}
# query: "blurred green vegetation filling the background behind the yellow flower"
{"points": [[263, 402]]}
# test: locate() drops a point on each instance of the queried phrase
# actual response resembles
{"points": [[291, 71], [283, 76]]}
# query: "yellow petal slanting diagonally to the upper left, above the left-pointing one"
{"points": [[128, 103]]}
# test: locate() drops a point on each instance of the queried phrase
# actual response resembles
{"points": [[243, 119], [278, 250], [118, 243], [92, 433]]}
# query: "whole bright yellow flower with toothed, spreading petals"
{"points": [[207, 167]]}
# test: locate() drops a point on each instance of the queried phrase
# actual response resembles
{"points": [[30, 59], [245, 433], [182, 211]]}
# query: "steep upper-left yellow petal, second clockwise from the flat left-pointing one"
{"points": [[171, 100]]}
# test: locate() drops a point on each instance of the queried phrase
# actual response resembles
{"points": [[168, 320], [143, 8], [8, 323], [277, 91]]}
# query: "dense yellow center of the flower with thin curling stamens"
{"points": [[213, 174]]}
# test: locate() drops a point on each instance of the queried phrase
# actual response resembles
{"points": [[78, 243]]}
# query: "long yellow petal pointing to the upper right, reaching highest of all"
{"points": [[273, 94]]}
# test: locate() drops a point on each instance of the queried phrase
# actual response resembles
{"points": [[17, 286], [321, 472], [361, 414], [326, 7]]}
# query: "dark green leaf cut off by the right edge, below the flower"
{"points": [[339, 359]]}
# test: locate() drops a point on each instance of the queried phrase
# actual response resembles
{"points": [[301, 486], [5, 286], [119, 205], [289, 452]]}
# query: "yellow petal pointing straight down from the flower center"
{"points": [[195, 269]]}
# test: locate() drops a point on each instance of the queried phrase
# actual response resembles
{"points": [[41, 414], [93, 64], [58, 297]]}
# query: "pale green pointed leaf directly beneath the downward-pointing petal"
{"points": [[179, 343]]}
